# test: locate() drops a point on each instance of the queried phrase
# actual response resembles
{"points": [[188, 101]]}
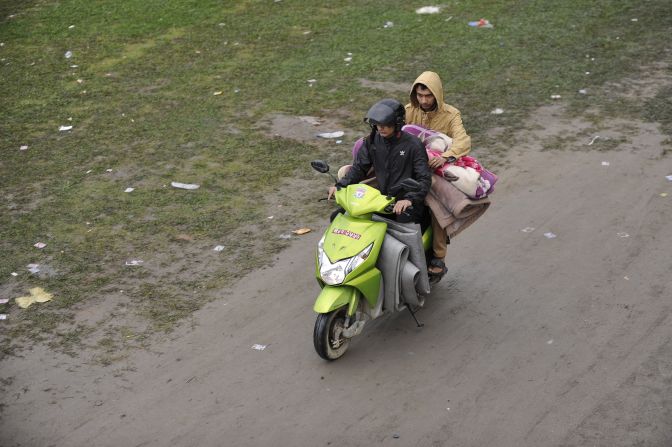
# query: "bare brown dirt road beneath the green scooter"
{"points": [[529, 341]]}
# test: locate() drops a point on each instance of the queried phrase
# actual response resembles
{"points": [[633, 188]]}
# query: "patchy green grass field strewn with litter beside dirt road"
{"points": [[139, 92]]}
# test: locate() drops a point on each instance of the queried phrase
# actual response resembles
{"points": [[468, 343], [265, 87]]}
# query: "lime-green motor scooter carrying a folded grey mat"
{"points": [[367, 265]]}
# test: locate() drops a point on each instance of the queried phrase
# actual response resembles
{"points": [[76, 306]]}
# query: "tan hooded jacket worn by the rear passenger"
{"points": [[444, 118]]}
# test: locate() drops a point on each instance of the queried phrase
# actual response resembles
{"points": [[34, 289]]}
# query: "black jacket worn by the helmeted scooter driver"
{"points": [[393, 159]]}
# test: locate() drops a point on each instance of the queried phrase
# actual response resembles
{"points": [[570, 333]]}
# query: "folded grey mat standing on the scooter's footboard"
{"points": [[403, 265]]}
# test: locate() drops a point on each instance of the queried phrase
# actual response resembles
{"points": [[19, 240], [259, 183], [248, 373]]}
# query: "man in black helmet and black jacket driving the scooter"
{"points": [[395, 156]]}
